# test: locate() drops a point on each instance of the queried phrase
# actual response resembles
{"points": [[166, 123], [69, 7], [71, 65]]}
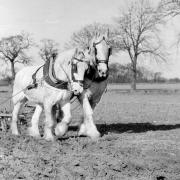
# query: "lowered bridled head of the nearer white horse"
{"points": [[79, 65]]}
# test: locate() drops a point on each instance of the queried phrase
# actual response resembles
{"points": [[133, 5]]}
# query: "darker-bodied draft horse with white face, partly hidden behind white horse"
{"points": [[95, 83]]}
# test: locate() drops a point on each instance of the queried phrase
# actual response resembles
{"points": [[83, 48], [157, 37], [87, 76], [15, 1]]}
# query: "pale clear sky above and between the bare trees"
{"points": [[58, 19]]}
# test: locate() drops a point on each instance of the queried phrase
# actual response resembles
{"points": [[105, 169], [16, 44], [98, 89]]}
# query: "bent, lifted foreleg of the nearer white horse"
{"points": [[62, 127]]}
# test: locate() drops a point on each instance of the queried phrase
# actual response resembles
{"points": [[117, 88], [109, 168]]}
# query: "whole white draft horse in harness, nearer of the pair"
{"points": [[64, 77]]}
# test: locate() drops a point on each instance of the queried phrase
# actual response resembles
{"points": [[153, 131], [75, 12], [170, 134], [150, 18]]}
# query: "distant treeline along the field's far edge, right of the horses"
{"points": [[119, 73]]}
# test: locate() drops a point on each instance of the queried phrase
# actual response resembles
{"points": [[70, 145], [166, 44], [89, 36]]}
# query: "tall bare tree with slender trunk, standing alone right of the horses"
{"points": [[137, 33]]}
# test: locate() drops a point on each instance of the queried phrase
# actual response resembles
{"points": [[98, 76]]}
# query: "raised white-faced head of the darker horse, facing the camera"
{"points": [[101, 51]]}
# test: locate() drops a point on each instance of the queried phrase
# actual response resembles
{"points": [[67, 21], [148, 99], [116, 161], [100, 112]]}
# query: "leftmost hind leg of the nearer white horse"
{"points": [[15, 114]]}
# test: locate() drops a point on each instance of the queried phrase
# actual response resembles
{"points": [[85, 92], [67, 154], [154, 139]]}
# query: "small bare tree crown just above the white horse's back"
{"points": [[48, 49]]}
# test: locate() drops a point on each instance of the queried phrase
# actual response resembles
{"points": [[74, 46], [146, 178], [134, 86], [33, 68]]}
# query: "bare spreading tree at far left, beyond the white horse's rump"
{"points": [[12, 49]]}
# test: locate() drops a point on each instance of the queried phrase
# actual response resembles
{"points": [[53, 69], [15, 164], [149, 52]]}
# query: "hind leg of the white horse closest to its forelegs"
{"points": [[34, 130]]}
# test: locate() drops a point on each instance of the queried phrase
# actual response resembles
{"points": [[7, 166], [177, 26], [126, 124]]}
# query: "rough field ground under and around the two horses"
{"points": [[140, 141]]}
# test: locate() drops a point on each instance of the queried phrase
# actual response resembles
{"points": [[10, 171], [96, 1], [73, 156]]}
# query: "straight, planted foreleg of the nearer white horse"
{"points": [[49, 122]]}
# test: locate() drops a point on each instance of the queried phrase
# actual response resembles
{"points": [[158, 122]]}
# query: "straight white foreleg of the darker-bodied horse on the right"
{"points": [[88, 127]]}
